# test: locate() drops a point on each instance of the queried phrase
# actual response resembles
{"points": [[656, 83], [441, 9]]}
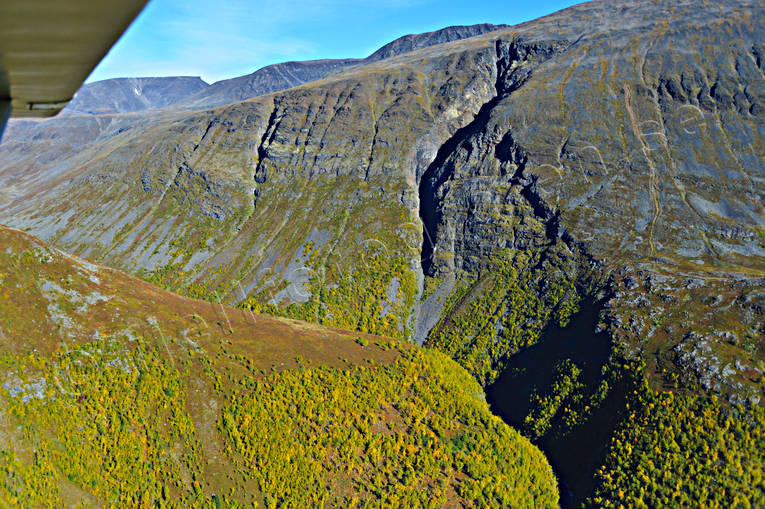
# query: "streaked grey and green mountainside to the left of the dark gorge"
{"points": [[309, 173]]}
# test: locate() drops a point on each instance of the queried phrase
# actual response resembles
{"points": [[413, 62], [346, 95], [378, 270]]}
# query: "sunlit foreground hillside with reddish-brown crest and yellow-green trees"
{"points": [[114, 392]]}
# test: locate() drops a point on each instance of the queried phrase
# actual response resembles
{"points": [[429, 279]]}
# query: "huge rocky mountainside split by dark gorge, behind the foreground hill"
{"points": [[467, 194]]}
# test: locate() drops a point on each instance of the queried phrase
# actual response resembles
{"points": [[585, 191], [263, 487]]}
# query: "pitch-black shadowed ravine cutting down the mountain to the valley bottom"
{"points": [[576, 456]]}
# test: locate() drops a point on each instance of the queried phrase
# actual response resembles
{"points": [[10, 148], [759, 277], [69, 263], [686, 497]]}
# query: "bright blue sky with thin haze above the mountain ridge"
{"points": [[223, 39]]}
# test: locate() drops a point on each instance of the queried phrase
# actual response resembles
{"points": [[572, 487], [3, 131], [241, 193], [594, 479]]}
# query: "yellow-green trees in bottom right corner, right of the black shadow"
{"points": [[684, 450]]}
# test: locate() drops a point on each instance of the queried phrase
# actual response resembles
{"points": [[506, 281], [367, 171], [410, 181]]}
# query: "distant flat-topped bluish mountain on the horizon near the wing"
{"points": [[122, 95]]}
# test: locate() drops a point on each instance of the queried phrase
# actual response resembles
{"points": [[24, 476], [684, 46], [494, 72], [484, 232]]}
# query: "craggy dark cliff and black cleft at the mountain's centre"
{"points": [[484, 195]]}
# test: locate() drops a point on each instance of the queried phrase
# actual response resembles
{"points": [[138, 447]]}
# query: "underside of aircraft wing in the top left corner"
{"points": [[49, 47]]}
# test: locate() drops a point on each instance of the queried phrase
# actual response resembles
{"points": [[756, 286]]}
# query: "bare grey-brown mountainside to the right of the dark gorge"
{"points": [[595, 124]]}
